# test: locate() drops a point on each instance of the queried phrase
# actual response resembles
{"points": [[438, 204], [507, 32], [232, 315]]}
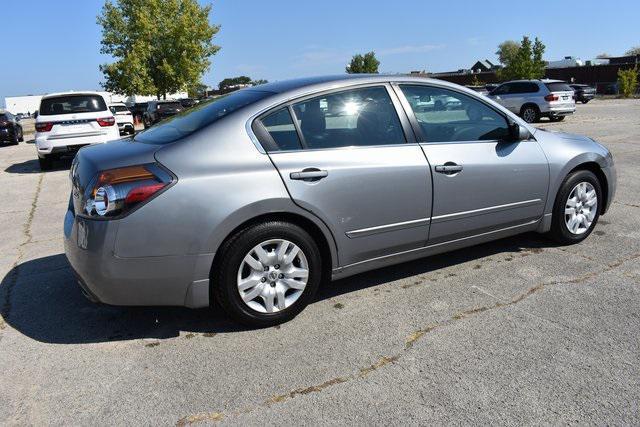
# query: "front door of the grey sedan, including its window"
{"points": [[483, 180]]}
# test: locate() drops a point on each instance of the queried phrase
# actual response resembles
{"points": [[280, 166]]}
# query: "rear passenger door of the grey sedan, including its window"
{"points": [[344, 156]]}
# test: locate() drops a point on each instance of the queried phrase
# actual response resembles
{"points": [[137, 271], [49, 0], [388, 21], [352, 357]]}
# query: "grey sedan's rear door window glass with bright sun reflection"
{"points": [[358, 117]]}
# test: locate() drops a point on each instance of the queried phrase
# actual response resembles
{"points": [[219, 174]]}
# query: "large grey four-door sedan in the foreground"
{"points": [[252, 199]]}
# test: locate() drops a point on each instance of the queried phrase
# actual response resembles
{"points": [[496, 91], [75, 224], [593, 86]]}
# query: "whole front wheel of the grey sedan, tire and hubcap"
{"points": [[576, 209]]}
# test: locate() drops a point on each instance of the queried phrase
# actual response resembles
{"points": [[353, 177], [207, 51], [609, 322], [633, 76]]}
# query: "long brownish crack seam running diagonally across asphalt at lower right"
{"points": [[409, 343]]}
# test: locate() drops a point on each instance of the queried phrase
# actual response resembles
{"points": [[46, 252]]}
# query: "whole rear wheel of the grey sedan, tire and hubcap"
{"points": [[267, 274]]}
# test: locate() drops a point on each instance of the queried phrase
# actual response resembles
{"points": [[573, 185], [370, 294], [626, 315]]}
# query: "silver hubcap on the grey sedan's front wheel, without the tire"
{"points": [[580, 208]]}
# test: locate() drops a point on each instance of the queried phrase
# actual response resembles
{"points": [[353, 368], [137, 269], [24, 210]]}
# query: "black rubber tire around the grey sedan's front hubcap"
{"points": [[559, 230]]}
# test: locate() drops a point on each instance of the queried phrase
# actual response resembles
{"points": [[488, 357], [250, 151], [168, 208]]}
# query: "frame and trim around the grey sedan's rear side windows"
{"points": [[407, 129]]}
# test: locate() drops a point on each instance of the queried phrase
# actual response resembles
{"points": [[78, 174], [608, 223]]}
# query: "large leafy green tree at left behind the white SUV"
{"points": [[159, 46]]}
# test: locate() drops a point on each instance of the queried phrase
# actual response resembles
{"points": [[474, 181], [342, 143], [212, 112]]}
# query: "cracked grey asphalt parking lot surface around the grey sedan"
{"points": [[518, 331]]}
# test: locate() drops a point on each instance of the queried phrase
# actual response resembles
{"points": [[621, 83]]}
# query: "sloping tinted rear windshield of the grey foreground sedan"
{"points": [[202, 115]]}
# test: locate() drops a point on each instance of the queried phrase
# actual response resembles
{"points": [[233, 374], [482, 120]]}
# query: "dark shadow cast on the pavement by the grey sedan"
{"points": [[41, 299]]}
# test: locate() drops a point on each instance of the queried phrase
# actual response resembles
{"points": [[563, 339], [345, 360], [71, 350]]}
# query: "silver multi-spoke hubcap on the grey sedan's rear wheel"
{"points": [[272, 276]]}
